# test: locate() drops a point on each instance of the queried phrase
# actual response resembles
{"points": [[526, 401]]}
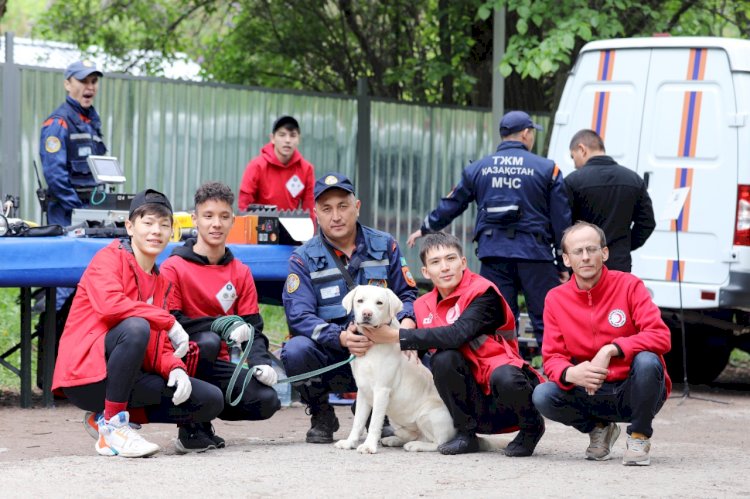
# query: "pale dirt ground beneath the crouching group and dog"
{"points": [[700, 449]]}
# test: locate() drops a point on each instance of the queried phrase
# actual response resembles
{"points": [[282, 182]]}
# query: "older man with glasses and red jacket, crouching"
{"points": [[603, 351]]}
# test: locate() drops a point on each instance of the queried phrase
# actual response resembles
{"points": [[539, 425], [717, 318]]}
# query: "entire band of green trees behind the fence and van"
{"points": [[435, 51]]}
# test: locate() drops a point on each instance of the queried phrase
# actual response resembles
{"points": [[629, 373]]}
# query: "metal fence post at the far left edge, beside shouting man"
{"points": [[10, 180]]}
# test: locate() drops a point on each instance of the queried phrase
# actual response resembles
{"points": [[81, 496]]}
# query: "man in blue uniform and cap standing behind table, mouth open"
{"points": [[69, 135]]}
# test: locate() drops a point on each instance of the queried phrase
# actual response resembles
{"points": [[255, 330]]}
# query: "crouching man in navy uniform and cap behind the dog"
{"points": [[321, 272]]}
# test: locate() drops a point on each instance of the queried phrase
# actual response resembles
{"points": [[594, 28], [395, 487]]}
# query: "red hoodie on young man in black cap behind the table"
{"points": [[268, 181]]}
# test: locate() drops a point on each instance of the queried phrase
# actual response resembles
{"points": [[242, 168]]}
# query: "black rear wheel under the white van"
{"points": [[708, 350]]}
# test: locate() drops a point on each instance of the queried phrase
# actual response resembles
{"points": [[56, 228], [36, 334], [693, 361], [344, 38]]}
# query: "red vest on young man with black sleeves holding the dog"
{"points": [[485, 353]]}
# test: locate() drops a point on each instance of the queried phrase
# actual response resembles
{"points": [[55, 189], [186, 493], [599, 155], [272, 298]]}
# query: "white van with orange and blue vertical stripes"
{"points": [[677, 111]]}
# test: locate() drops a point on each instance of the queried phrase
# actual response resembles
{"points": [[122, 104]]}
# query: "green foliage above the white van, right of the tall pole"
{"points": [[547, 34]]}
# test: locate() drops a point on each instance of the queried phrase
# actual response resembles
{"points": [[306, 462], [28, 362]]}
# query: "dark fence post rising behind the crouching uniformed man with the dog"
{"points": [[364, 185]]}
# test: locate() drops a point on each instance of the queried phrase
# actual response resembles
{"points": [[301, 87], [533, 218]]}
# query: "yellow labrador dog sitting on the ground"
{"points": [[389, 383]]}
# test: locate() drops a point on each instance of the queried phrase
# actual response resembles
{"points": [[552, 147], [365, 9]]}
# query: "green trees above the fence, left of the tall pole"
{"points": [[421, 50]]}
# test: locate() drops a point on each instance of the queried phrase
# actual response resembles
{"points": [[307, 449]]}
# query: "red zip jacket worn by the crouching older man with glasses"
{"points": [[618, 310]]}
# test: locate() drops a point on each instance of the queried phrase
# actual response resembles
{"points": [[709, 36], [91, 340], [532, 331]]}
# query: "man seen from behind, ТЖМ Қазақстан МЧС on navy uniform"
{"points": [[522, 212]]}
